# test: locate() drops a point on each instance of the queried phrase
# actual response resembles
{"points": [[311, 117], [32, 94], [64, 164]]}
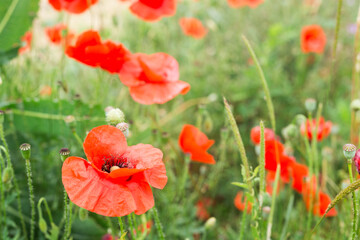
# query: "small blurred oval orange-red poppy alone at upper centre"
{"points": [[193, 27]]}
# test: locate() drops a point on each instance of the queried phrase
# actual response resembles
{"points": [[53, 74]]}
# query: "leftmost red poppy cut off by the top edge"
{"points": [[72, 6]]}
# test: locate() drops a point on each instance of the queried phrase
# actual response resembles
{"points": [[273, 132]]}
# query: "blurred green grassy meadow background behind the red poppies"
{"points": [[215, 66]]}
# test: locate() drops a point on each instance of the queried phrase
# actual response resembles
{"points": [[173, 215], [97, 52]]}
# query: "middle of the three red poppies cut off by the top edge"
{"points": [[153, 10]]}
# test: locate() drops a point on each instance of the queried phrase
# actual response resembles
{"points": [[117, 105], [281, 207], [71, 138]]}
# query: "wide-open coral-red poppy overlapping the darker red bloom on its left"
{"points": [[153, 78]]}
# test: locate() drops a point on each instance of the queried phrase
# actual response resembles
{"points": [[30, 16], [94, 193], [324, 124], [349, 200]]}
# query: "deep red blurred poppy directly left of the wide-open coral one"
{"points": [[90, 50]]}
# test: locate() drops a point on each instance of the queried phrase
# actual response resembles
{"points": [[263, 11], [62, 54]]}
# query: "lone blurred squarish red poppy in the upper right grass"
{"points": [[313, 39]]}
